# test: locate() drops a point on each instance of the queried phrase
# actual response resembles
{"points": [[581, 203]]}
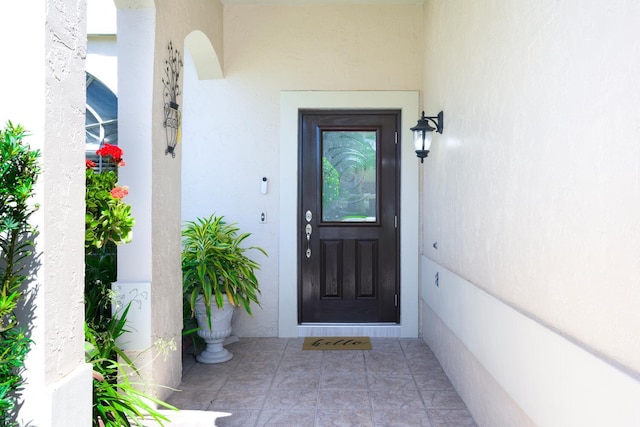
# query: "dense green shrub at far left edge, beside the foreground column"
{"points": [[19, 170]]}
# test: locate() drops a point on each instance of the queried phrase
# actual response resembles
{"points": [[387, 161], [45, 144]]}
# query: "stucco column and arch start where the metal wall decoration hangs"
{"points": [[150, 264]]}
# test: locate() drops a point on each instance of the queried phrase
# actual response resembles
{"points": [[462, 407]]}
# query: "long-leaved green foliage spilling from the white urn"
{"points": [[214, 263]]}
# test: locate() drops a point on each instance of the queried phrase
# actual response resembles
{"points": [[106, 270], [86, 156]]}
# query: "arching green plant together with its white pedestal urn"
{"points": [[216, 269]]}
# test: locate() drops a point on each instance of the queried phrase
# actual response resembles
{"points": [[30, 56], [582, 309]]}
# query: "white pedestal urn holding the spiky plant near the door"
{"points": [[215, 336]]}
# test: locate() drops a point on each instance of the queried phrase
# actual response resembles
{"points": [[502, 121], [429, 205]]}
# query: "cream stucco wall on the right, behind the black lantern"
{"points": [[533, 195]]}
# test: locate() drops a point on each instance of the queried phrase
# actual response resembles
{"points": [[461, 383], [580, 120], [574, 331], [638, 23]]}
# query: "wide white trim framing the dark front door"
{"points": [[290, 102]]}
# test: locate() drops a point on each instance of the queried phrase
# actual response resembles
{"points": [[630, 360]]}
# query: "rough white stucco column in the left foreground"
{"points": [[42, 85]]}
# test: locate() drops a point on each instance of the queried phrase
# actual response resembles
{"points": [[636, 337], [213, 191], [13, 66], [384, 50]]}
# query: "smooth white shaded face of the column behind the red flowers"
{"points": [[136, 31]]}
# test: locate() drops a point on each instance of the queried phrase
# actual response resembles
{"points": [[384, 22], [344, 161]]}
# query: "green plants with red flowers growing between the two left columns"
{"points": [[117, 399]]}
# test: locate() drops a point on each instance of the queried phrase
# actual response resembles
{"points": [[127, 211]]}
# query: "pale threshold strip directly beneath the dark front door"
{"points": [[380, 330]]}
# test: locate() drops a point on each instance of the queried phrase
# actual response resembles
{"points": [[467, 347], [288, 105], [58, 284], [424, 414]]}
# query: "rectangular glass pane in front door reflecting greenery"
{"points": [[349, 176]]}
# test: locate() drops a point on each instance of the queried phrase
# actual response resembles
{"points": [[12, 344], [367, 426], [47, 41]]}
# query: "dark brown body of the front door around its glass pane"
{"points": [[376, 241]]}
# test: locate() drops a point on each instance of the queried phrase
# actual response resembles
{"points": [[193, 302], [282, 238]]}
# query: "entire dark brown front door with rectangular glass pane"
{"points": [[348, 216]]}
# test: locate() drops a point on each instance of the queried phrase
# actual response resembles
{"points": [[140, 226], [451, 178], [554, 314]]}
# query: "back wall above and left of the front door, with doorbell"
{"points": [[235, 142]]}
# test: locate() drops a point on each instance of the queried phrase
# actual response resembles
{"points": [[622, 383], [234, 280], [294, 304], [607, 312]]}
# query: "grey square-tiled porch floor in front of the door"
{"points": [[273, 382]]}
